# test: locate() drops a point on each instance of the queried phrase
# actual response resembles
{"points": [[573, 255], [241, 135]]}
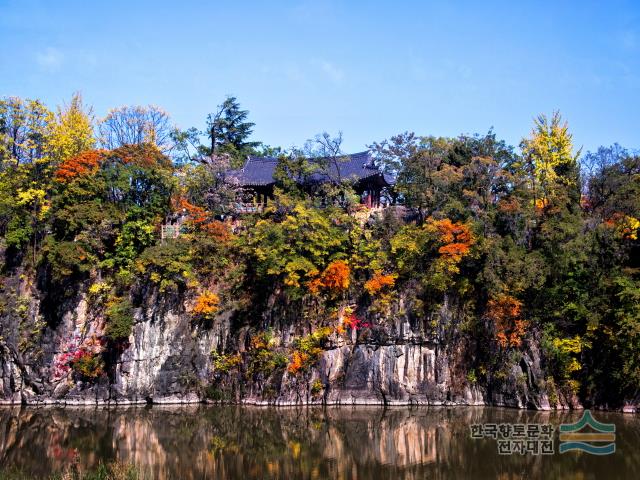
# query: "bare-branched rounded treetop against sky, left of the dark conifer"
{"points": [[136, 125]]}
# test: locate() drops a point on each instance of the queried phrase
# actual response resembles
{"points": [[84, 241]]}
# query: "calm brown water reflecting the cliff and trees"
{"points": [[200, 442]]}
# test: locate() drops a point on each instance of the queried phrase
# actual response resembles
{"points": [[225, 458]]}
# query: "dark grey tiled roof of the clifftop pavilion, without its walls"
{"points": [[259, 170]]}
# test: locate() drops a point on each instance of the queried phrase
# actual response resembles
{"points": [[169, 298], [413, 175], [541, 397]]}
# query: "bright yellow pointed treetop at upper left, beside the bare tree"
{"points": [[71, 131]]}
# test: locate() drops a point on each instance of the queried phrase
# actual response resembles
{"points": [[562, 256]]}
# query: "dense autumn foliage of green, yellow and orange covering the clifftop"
{"points": [[535, 244]]}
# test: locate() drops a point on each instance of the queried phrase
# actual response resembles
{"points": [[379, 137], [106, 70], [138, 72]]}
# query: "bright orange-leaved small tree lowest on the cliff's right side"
{"points": [[505, 312]]}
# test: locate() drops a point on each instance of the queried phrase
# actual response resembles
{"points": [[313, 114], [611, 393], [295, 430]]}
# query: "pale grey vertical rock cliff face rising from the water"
{"points": [[167, 359]]}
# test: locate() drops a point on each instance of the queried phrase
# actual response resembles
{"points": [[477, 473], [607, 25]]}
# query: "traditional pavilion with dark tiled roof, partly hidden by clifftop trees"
{"points": [[369, 182]]}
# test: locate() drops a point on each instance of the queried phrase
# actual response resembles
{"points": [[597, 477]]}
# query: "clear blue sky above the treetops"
{"points": [[371, 69]]}
